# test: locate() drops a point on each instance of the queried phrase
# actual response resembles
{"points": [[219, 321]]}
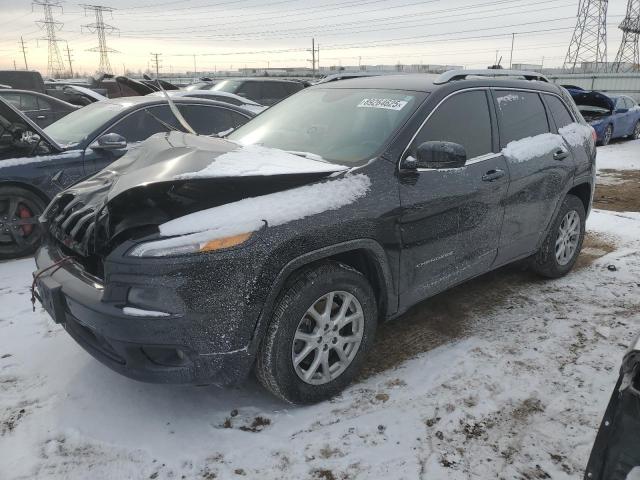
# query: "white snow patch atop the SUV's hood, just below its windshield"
{"points": [[256, 160]]}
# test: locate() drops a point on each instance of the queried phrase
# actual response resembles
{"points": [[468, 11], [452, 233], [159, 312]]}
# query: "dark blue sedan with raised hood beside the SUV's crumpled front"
{"points": [[36, 164]]}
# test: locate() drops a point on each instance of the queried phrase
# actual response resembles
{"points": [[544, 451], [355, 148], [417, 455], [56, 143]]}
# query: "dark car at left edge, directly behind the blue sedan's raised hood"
{"points": [[42, 109]]}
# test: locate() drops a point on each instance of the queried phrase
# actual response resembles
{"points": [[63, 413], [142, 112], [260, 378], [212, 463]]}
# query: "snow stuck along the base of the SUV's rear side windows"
{"points": [[531, 147]]}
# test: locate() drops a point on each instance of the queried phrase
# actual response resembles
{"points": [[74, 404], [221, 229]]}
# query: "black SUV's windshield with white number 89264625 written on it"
{"points": [[345, 126]]}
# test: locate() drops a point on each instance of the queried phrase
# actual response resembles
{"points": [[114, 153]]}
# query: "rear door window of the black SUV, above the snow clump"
{"points": [[521, 115]]}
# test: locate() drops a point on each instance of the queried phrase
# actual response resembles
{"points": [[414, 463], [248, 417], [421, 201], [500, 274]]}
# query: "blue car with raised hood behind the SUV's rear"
{"points": [[611, 116]]}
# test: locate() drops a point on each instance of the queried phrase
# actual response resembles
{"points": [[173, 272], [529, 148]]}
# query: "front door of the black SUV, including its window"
{"points": [[451, 218]]}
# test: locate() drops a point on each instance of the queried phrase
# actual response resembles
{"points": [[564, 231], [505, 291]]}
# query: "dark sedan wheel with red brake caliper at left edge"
{"points": [[20, 232]]}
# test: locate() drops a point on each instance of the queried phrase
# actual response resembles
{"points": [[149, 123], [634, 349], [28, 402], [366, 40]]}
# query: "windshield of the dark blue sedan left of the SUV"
{"points": [[76, 126]]}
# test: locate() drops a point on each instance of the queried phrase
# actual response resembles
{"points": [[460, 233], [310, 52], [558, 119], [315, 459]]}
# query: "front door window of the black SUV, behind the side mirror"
{"points": [[464, 119]]}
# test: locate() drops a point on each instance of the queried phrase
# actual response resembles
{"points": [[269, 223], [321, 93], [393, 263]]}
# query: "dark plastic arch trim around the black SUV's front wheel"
{"points": [[370, 245]]}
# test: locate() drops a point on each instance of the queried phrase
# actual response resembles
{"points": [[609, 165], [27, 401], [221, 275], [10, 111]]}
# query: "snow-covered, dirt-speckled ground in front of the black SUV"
{"points": [[509, 378]]}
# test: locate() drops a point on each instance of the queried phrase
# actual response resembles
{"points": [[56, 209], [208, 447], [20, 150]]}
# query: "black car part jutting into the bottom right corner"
{"points": [[616, 451]]}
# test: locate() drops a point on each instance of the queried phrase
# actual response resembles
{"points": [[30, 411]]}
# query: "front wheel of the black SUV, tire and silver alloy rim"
{"points": [[321, 328]]}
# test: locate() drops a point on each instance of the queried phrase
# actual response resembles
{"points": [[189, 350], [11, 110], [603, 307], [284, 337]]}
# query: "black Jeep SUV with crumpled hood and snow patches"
{"points": [[280, 248]]}
